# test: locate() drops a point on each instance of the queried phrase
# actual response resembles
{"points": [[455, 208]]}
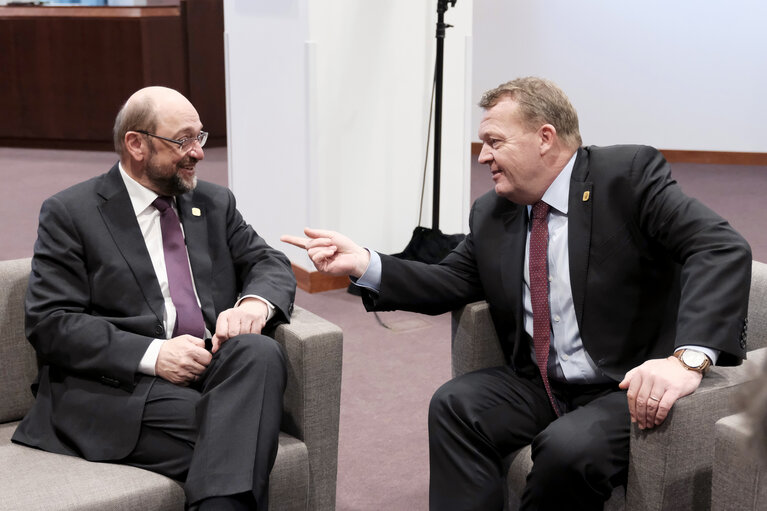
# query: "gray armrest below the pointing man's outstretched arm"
{"points": [[475, 344]]}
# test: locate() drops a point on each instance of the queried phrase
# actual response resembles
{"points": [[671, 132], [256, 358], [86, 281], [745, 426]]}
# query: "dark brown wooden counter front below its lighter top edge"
{"points": [[69, 76]]}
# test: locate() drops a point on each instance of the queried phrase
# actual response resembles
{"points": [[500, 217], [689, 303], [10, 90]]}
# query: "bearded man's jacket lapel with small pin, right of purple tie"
{"points": [[192, 215]]}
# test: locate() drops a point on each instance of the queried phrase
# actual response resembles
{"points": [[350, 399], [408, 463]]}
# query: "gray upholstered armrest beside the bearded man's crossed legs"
{"points": [[314, 349]]}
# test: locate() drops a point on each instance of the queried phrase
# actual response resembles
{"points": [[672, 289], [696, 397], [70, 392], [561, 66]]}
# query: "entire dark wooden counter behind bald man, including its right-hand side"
{"points": [[67, 70]]}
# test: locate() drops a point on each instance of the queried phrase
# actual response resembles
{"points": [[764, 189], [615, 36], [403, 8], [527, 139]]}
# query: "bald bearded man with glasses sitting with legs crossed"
{"points": [[133, 270]]}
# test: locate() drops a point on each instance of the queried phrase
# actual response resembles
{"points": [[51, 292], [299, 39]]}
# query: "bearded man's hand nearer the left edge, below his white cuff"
{"points": [[182, 360]]}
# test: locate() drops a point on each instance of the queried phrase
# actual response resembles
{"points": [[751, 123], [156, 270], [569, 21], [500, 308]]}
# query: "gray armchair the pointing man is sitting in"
{"points": [[664, 473]]}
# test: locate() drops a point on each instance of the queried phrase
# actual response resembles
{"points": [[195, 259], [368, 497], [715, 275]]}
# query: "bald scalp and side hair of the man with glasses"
{"points": [[145, 110]]}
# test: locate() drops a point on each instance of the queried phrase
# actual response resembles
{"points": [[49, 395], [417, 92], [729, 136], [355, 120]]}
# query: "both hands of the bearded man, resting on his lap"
{"points": [[183, 359]]}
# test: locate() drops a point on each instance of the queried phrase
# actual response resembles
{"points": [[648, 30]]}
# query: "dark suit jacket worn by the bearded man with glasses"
{"points": [[94, 305]]}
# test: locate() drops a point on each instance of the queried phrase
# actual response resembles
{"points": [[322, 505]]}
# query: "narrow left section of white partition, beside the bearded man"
{"points": [[267, 91]]}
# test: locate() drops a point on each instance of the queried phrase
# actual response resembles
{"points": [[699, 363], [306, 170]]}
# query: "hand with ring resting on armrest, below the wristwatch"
{"points": [[654, 387]]}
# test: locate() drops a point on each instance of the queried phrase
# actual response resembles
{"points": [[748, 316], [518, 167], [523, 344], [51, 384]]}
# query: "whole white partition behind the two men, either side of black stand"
{"points": [[328, 103]]}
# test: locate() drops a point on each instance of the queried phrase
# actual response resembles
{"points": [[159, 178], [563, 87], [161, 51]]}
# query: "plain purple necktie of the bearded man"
{"points": [[188, 314]]}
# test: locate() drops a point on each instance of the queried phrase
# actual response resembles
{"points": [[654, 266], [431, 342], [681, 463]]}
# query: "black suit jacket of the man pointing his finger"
{"points": [[650, 268]]}
